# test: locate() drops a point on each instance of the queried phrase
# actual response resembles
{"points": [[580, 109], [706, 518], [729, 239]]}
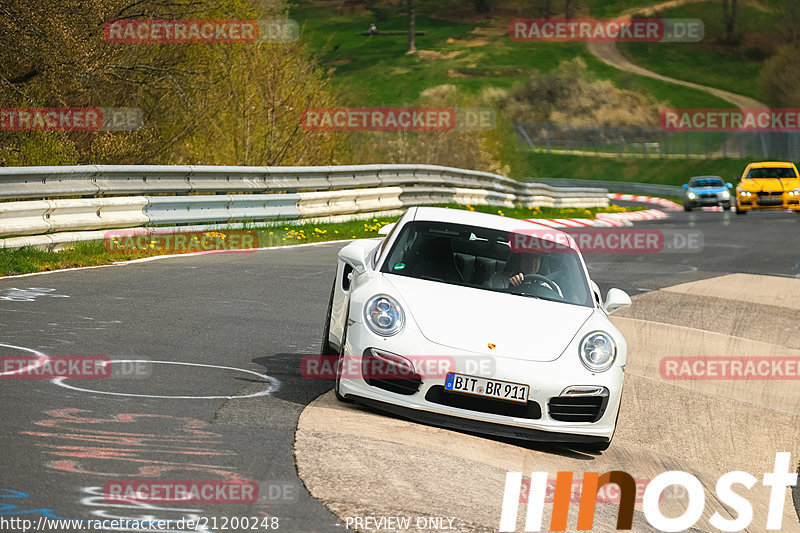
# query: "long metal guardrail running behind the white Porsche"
{"points": [[44, 206]]}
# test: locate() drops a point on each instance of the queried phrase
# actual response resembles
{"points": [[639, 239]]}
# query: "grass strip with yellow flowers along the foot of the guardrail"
{"points": [[93, 253]]}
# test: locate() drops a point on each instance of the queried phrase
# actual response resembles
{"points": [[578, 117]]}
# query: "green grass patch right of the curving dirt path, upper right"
{"points": [[709, 62]]}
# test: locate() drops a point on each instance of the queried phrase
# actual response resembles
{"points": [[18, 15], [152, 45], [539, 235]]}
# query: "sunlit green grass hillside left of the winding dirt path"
{"points": [[373, 71]]}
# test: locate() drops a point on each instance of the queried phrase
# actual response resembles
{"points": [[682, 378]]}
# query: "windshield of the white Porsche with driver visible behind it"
{"points": [[482, 258]]}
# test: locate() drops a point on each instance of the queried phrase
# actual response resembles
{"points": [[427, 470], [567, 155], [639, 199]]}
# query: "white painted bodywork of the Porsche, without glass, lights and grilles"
{"points": [[536, 341]]}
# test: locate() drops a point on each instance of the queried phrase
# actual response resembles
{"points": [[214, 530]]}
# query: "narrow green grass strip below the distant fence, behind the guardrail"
{"points": [[655, 170]]}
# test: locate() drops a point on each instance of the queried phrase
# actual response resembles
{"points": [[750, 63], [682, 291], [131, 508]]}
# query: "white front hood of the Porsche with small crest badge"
{"points": [[471, 319]]}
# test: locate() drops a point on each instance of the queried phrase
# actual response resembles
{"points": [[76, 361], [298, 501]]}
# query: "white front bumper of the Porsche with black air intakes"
{"points": [[542, 419]]}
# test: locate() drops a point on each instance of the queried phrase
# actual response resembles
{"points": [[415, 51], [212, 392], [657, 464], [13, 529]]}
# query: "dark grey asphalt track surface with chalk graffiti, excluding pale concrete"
{"points": [[258, 312]]}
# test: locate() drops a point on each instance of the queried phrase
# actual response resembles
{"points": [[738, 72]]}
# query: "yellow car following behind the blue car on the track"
{"points": [[768, 185]]}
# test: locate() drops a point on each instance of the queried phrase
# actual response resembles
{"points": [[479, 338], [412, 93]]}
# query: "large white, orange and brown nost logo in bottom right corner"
{"points": [[779, 480]]}
